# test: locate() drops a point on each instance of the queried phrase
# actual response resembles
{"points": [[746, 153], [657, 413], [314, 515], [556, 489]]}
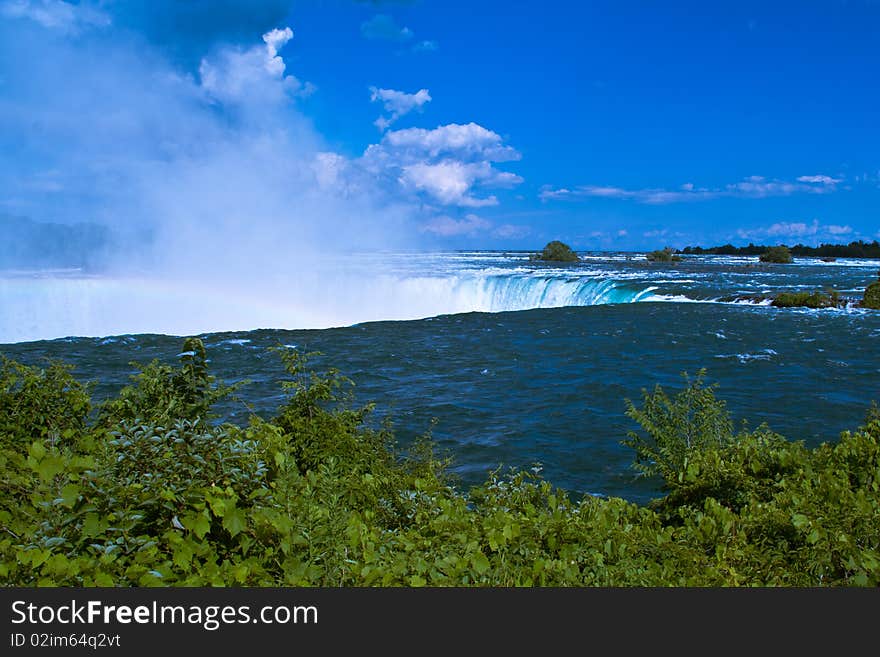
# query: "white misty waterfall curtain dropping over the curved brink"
{"points": [[61, 304]]}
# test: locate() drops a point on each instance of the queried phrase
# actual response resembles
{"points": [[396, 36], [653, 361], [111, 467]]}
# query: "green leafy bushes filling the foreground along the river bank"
{"points": [[160, 496]]}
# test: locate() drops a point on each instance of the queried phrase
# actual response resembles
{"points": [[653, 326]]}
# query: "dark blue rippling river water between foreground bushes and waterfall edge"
{"points": [[546, 385]]}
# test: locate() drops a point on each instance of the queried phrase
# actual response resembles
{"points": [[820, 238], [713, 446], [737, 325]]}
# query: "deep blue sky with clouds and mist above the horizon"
{"points": [[427, 124]]}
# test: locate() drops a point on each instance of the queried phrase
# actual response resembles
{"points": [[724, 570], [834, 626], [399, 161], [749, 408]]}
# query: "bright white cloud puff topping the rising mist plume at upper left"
{"points": [[254, 76]]}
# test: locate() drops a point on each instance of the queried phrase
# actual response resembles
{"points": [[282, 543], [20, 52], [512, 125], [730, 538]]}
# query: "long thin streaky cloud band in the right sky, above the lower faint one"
{"points": [[751, 187]]}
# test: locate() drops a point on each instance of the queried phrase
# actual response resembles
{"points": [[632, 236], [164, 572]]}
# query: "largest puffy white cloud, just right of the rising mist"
{"points": [[447, 164]]}
